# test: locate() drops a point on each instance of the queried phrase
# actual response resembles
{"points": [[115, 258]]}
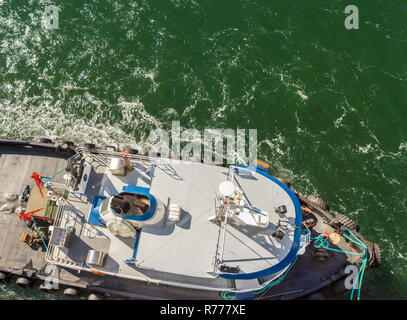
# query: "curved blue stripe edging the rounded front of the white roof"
{"points": [[297, 236]]}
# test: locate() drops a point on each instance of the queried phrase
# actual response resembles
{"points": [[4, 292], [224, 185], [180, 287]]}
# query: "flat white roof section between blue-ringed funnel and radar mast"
{"points": [[188, 246]]}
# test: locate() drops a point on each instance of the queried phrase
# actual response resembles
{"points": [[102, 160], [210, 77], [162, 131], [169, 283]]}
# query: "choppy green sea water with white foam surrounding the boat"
{"points": [[329, 104]]}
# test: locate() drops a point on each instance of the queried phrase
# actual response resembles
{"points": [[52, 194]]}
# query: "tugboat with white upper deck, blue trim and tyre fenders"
{"points": [[110, 223]]}
